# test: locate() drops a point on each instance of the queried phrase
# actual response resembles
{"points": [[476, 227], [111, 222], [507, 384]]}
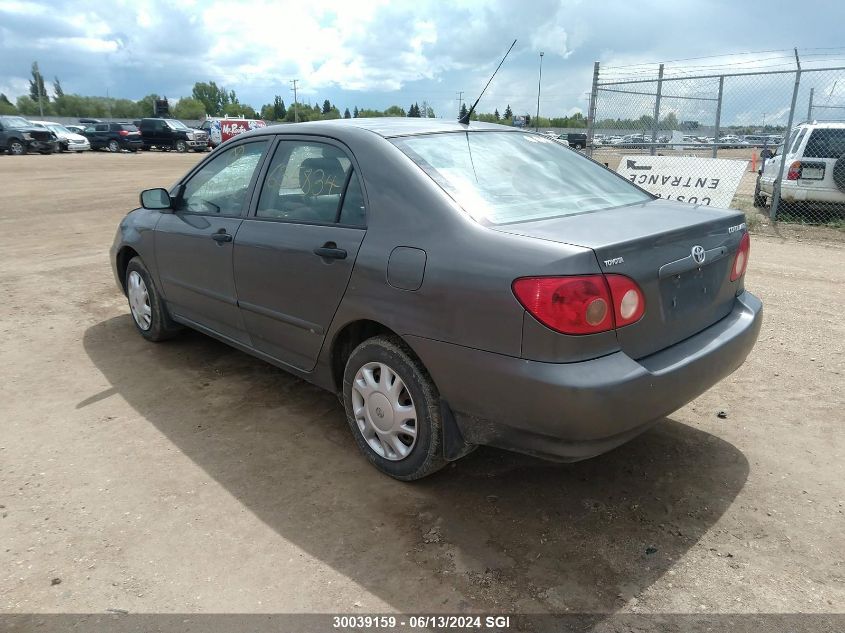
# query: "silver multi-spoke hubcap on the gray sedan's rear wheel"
{"points": [[384, 411]]}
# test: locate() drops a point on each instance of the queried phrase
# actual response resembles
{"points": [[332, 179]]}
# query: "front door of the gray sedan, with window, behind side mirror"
{"points": [[193, 245]]}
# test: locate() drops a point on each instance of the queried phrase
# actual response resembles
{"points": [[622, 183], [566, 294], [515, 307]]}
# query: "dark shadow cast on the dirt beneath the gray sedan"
{"points": [[495, 531]]}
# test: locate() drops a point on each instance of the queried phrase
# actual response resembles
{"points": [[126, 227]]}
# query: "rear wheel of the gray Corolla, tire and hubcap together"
{"points": [[393, 409]]}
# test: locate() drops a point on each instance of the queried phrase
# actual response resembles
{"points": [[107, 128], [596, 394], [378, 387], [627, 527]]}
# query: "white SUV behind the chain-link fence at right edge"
{"points": [[815, 167]]}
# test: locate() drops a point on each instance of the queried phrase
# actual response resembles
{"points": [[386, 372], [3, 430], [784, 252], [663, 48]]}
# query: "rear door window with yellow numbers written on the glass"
{"points": [[305, 183]]}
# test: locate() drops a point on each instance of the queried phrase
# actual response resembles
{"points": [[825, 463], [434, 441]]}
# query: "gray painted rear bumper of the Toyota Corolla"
{"points": [[578, 410]]}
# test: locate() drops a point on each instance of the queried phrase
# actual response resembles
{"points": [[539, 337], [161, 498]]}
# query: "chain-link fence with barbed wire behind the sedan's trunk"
{"points": [[720, 138]]}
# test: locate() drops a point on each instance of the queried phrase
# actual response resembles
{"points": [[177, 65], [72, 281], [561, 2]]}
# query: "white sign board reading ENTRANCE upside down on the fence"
{"points": [[708, 181]]}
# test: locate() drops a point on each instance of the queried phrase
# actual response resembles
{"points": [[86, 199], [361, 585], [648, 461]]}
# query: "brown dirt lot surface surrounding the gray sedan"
{"points": [[189, 477]]}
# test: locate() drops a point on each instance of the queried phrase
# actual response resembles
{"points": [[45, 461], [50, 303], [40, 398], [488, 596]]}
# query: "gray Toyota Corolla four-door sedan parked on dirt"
{"points": [[456, 285]]}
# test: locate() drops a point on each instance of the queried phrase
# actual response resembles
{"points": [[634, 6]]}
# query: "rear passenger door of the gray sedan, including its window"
{"points": [[294, 253]]}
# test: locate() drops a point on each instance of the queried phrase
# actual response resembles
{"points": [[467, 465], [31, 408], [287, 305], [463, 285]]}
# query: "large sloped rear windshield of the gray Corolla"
{"points": [[503, 177]]}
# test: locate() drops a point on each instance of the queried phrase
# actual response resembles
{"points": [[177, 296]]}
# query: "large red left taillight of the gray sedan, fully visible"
{"points": [[582, 304]]}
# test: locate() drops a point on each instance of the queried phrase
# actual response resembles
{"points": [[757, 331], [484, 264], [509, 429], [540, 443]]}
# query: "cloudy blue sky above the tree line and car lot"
{"points": [[373, 54]]}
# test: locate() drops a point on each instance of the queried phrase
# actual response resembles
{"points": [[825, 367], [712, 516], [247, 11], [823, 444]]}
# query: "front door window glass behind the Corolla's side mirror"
{"points": [[221, 186]]}
